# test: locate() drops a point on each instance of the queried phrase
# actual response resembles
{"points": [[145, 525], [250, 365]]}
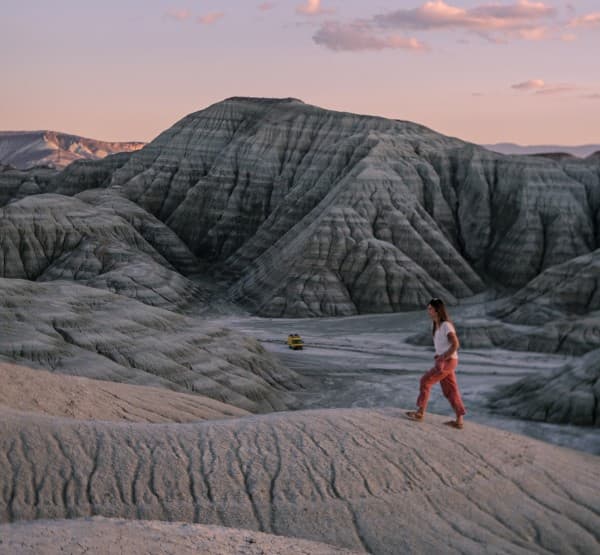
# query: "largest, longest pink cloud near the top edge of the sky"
{"points": [[518, 20]]}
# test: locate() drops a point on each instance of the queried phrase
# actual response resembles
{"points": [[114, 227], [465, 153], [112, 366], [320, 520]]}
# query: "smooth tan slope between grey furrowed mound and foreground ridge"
{"points": [[25, 389]]}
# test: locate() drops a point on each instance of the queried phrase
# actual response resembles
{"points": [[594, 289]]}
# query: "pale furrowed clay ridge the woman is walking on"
{"points": [[359, 479]]}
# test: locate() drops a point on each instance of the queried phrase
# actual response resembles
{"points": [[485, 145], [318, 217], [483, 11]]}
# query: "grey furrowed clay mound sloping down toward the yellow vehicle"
{"points": [[82, 331]]}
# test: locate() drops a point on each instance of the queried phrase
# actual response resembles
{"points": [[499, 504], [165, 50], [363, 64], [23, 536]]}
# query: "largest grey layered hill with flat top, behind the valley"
{"points": [[314, 212]]}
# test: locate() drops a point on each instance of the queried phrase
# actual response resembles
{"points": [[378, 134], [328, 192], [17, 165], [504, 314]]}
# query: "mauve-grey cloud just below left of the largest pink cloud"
{"points": [[359, 35]]}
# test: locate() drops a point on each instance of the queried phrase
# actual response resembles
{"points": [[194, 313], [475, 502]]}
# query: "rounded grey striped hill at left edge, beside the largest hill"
{"points": [[107, 243]]}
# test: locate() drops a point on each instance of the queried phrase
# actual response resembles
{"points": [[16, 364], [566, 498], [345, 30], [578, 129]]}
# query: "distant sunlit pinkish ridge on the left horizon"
{"points": [[27, 149]]}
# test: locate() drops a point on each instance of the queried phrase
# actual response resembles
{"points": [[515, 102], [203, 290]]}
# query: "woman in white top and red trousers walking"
{"points": [[446, 358]]}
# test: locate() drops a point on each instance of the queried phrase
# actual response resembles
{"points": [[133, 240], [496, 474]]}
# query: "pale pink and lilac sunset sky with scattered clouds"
{"points": [[522, 71]]}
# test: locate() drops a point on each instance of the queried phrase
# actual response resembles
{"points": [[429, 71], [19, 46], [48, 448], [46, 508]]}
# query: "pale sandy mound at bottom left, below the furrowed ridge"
{"points": [[103, 536]]}
